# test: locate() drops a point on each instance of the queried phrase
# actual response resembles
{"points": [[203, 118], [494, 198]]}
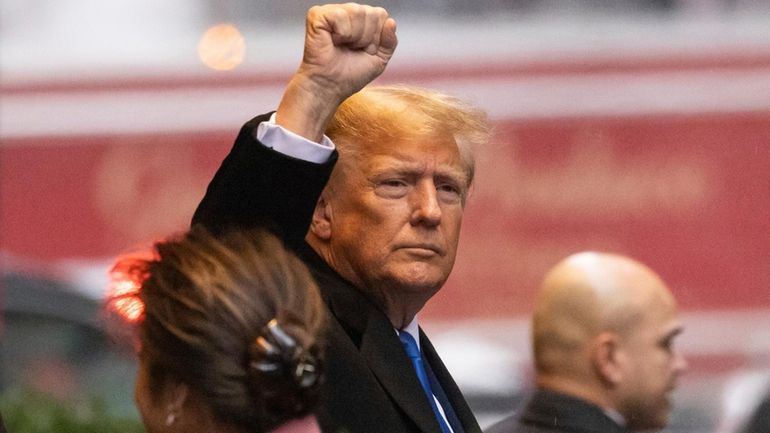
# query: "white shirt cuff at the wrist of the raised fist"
{"points": [[290, 144]]}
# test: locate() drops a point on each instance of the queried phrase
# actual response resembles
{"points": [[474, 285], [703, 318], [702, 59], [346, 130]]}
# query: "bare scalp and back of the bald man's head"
{"points": [[583, 295]]}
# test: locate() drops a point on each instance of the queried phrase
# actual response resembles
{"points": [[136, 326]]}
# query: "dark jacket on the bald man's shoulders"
{"points": [[550, 412]]}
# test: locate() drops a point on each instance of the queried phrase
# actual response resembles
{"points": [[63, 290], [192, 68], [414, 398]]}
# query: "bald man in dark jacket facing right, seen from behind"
{"points": [[603, 332]]}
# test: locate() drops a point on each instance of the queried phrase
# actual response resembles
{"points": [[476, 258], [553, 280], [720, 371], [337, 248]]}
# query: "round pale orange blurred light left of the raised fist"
{"points": [[222, 47]]}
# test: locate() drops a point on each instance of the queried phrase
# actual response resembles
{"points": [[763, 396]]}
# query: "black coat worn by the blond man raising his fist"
{"points": [[370, 384]]}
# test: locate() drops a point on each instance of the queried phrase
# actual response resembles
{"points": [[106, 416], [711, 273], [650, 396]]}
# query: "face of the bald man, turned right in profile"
{"points": [[652, 368]]}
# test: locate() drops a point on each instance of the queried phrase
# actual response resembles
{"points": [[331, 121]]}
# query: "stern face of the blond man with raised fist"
{"points": [[396, 211]]}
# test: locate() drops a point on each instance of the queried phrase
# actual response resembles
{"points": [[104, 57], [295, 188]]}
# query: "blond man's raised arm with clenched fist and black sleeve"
{"points": [[346, 47]]}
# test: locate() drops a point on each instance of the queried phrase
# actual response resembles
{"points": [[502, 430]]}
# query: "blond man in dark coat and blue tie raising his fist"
{"points": [[379, 230]]}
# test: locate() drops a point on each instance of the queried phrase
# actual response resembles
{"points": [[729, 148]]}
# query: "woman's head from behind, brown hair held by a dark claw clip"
{"points": [[229, 333]]}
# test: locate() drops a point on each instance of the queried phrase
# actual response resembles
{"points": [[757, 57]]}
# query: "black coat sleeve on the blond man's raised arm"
{"points": [[258, 187]]}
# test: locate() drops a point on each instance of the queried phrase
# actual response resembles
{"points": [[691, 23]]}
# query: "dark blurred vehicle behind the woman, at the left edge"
{"points": [[54, 344]]}
